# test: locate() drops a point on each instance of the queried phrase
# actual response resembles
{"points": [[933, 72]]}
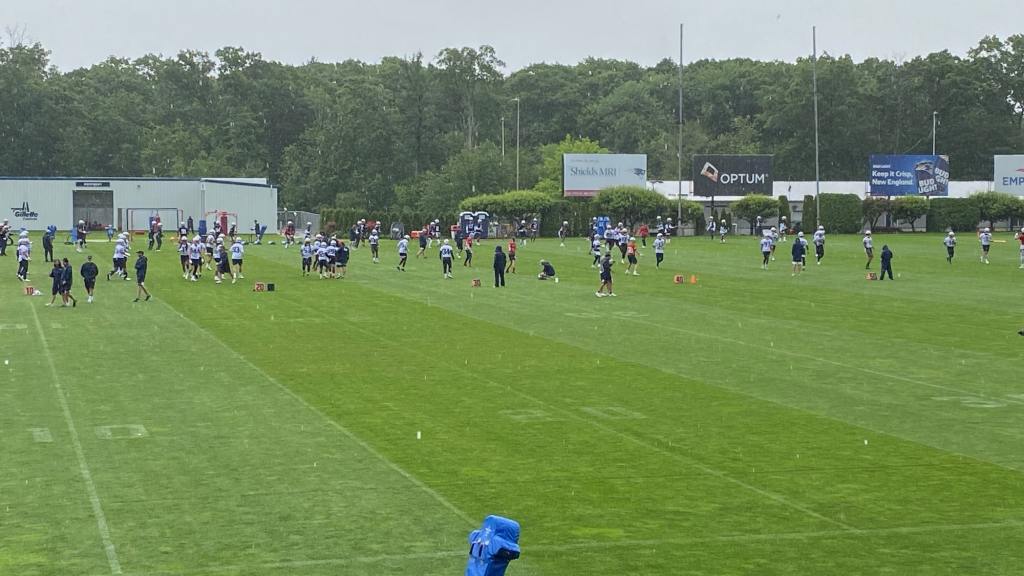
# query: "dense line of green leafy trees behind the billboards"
{"points": [[425, 134]]}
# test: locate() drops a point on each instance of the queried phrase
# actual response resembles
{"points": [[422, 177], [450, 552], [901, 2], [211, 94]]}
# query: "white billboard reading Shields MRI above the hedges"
{"points": [[586, 175]]}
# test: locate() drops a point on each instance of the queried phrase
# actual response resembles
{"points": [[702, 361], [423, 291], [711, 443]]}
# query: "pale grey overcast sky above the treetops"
{"points": [[84, 32]]}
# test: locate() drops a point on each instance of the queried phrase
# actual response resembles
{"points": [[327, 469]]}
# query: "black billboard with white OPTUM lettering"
{"points": [[733, 175]]}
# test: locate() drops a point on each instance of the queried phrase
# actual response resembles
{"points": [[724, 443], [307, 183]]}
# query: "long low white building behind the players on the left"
{"points": [[35, 203]]}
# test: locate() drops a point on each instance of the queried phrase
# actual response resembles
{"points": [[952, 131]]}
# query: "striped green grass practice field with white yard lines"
{"points": [[751, 424]]}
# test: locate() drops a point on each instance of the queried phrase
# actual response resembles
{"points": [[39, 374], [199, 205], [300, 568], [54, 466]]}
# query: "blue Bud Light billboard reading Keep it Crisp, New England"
{"points": [[915, 175]]}
